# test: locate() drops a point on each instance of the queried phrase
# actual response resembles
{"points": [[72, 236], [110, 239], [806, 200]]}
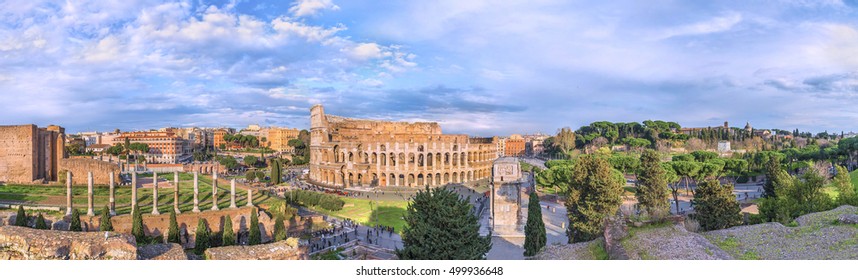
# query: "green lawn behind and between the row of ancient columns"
{"points": [[55, 195]]}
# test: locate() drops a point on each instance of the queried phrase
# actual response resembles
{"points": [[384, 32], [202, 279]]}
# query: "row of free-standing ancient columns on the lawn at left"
{"points": [[112, 204]]}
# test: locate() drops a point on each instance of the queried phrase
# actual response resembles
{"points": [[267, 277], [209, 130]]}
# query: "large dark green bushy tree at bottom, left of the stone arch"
{"points": [[440, 226]]}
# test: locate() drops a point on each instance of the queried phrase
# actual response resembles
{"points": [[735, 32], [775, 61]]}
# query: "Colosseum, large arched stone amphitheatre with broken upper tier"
{"points": [[348, 152]]}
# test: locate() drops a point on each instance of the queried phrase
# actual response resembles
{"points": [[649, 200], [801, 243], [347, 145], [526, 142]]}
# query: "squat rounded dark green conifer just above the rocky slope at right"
{"points": [[716, 206]]}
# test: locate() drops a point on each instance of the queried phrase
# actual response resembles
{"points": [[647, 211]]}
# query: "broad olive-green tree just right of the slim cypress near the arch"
{"points": [[594, 193]]}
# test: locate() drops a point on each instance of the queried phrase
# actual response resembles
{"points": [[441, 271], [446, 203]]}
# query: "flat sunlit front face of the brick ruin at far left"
{"points": [[17, 153]]}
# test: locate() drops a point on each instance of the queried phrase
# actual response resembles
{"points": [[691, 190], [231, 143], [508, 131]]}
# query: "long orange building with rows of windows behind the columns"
{"points": [[164, 147]]}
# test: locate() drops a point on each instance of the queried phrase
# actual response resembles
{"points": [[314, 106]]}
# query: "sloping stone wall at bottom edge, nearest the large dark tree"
{"points": [[283, 250]]}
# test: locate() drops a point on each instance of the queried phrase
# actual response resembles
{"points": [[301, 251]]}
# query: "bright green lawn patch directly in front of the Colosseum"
{"points": [[367, 212]]}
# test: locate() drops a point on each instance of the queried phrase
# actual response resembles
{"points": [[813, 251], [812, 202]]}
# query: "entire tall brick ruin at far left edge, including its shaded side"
{"points": [[29, 153]]}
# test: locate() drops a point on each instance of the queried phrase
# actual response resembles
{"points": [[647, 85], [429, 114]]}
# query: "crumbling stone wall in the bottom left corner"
{"points": [[20, 243]]}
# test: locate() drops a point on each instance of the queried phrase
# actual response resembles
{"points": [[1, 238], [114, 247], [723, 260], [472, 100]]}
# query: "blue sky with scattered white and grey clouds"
{"points": [[477, 67]]}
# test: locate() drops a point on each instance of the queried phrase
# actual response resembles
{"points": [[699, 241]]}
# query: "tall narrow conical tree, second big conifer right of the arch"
{"points": [[652, 193]]}
